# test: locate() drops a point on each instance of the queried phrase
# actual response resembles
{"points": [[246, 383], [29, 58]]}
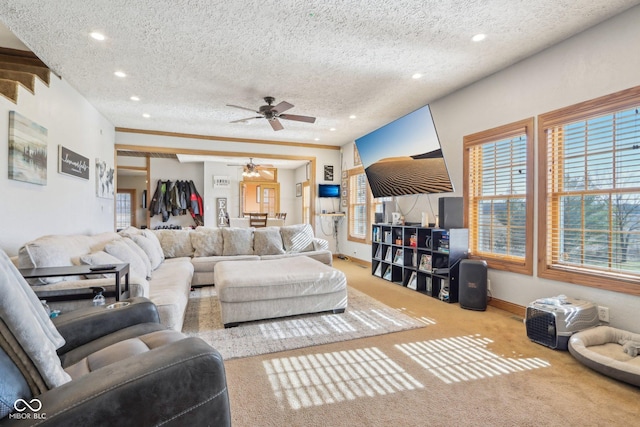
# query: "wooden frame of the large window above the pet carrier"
{"points": [[608, 104]]}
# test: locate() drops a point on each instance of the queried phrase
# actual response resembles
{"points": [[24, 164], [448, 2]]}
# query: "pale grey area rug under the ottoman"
{"points": [[364, 317]]}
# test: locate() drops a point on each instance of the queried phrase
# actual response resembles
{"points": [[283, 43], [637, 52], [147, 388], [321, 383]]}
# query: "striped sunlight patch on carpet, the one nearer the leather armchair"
{"points": [[327, 378]]}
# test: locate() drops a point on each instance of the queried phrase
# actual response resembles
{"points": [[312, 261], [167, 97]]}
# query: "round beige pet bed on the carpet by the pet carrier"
{"points": [[601, 349]]}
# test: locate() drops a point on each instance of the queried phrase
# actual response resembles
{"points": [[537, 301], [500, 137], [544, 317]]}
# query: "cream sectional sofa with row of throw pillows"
{"points": [[164, 264]]}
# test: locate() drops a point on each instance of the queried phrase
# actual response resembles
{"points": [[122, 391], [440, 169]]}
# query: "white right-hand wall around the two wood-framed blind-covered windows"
{"points": [[600, 61]]}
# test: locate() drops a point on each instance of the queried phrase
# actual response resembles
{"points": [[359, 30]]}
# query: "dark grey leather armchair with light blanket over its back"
{"points": [[111, 367]]}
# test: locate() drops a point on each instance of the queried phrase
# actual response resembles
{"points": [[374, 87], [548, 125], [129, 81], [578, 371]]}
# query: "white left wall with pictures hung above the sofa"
{"points": [[66, 204]]}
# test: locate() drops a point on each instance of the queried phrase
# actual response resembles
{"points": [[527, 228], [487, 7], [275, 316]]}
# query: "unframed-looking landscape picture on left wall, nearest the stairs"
{"points": [[27, 150]]}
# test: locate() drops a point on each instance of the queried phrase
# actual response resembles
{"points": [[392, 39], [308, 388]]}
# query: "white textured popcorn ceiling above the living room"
{"points": [[186, 59]]}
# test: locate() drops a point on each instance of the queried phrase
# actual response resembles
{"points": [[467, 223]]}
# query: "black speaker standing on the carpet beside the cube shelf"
{"points": [[473, 284]]}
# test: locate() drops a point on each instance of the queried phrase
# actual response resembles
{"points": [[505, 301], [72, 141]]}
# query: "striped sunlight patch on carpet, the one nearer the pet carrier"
{"points": [[465, 358]]}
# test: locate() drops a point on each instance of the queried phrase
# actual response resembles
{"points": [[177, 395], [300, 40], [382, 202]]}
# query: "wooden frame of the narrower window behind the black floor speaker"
{"points": [[497, 261]]}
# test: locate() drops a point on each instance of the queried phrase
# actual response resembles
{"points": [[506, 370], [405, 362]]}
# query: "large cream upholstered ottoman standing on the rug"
{"points": [[264, 289]]}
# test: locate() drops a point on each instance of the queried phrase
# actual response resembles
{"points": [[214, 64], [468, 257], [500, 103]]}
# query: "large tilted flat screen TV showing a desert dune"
{"points": [[404, 157]]}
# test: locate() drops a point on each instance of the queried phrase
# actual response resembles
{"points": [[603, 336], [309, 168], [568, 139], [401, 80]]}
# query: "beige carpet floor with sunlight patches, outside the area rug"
{"points": [[467, 368]]}
